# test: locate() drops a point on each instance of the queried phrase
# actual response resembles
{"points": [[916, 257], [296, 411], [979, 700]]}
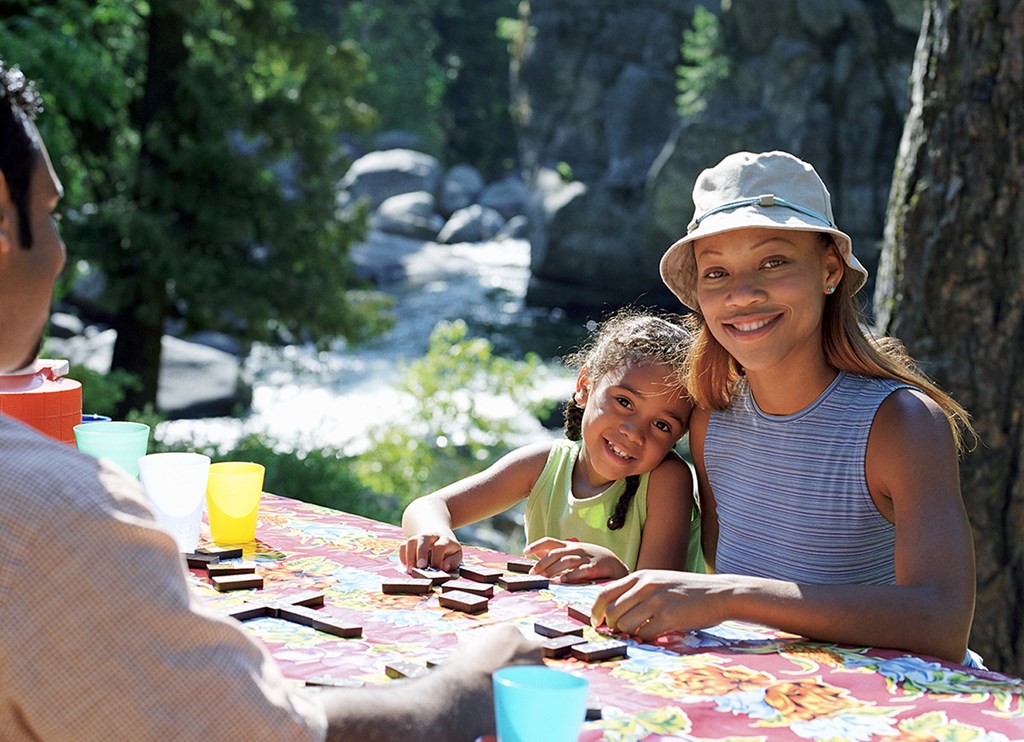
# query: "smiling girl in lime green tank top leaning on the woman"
{"points": [[613, 498]]}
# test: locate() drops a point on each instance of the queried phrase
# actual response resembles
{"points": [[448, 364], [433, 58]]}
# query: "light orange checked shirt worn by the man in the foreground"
{"points": [[100, 638]]}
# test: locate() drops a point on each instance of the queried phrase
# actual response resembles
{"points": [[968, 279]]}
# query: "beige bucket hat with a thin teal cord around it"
{"points": [[767, 190]]}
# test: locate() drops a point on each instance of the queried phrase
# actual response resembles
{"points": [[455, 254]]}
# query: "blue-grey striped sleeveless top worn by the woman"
{"points": [[791, 491]]}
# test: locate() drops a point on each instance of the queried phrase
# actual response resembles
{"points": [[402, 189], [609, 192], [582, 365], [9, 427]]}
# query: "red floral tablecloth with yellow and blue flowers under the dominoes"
{"points": [[736, 681]]}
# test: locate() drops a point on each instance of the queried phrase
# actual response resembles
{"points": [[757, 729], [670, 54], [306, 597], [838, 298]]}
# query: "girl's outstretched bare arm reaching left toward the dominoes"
{"points": [[430, 521]]}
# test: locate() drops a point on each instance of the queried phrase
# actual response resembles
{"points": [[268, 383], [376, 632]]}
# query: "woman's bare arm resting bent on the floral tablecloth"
{"points": [[912, 464]]}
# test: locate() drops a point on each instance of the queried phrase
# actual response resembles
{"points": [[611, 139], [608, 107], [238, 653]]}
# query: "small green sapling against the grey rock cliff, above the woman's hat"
{"points": [[705, 63]]}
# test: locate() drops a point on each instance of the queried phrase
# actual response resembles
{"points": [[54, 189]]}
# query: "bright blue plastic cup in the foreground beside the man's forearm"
{"points": [[537, 703]]}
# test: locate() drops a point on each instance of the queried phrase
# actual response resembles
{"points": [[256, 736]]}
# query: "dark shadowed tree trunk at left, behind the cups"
{"points": [[140, 324]]}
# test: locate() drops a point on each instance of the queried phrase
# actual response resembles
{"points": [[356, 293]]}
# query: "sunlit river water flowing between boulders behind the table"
{"points": [[305, 399]]}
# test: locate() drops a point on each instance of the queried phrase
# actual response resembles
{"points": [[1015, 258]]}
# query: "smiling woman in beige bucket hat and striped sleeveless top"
{"points": [[827, 462]]}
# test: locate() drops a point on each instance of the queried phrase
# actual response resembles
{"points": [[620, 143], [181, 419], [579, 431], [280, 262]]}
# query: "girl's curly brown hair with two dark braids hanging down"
{"points": [[628, 337]]}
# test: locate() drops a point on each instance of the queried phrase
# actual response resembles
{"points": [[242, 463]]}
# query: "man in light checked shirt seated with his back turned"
{"points": [[100, 638]]}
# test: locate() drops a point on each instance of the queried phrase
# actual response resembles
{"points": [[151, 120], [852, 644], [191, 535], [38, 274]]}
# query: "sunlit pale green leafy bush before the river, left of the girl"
{"points": [[445, 437]]}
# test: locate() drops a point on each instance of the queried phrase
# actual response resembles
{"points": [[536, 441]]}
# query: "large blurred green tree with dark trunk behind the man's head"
{"points": [[200, 141]]}
